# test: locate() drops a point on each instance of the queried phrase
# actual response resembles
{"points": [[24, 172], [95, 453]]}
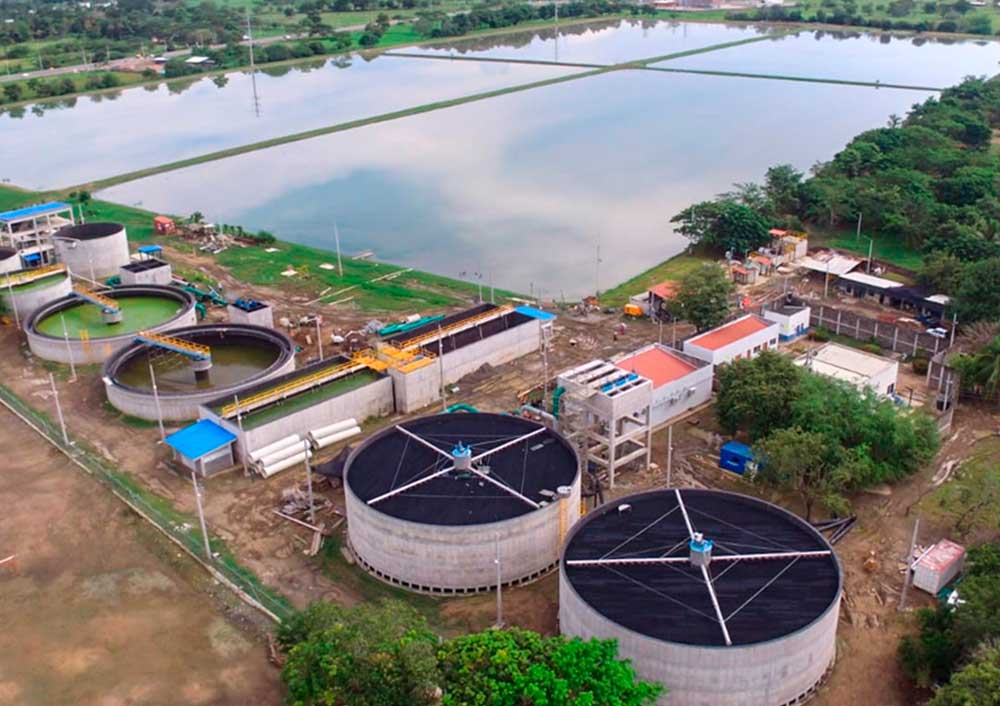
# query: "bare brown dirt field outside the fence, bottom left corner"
{"points": [[102, 610]]}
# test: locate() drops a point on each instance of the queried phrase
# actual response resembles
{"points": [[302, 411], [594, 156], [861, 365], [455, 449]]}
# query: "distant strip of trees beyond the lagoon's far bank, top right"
{"points": [[954, 16]]}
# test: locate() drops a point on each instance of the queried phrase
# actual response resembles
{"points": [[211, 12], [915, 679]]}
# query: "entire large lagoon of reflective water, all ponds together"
{"points": [[522, 188]]}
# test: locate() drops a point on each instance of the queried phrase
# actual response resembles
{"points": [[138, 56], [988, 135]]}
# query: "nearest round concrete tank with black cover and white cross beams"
{"points": [[635, 570]]}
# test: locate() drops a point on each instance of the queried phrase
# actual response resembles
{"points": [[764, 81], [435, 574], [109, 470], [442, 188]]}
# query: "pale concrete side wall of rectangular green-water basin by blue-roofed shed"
{"points": [[372, 400]]}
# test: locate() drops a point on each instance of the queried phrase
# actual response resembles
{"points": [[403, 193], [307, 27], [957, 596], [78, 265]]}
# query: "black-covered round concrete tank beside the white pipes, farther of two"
{"points": [[431, 502]]}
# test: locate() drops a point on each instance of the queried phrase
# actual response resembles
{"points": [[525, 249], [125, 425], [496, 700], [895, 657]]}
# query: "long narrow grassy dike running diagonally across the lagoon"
{"points": [[394, 115]]}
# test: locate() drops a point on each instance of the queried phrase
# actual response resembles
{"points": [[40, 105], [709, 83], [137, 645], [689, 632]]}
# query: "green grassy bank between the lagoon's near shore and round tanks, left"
{"points": [[406, 292]]}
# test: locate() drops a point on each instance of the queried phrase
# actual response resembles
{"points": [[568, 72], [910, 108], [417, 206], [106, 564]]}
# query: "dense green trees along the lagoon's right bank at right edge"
{"points": [[931, 182]]}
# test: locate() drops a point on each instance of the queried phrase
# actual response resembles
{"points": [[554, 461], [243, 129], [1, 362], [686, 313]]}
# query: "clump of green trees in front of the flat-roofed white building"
{"points": [[817, 437]]}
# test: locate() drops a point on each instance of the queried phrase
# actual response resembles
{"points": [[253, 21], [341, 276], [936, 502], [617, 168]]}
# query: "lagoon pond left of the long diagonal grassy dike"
{"points": [[110, 134]]}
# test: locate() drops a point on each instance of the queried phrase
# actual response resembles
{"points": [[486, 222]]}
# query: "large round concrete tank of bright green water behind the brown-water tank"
{"points": [[90, 339]]}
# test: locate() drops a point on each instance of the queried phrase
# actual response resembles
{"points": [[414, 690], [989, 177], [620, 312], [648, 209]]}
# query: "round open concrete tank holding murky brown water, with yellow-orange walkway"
{"points": [[242, 355]]}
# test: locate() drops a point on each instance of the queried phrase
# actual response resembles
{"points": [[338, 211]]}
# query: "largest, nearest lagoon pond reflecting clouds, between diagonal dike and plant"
{"points": [[524, 186]]}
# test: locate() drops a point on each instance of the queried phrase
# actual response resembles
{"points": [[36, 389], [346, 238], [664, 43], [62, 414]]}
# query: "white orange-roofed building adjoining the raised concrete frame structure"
{"points": [[680, 382]]}
